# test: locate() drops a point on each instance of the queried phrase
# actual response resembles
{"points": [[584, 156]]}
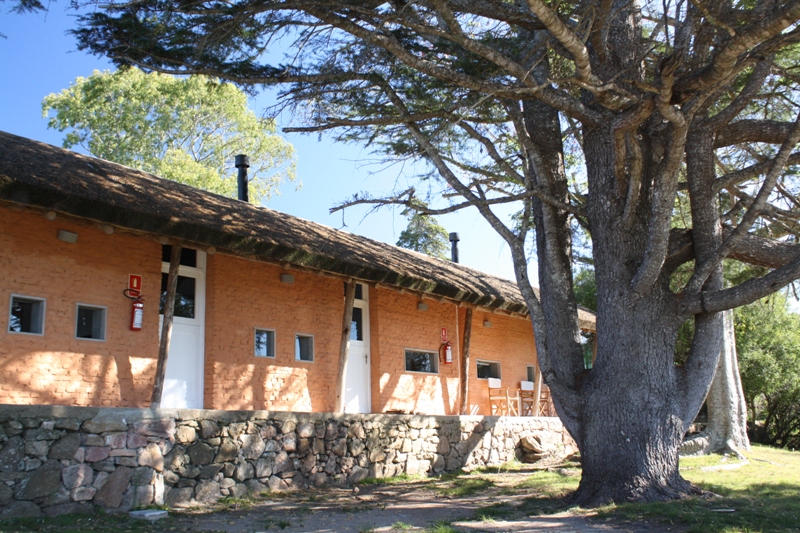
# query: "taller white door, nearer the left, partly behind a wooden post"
{"points": [[183, 383]]}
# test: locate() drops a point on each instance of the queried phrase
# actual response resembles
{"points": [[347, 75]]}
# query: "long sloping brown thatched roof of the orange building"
{"points": [[44, 176]]}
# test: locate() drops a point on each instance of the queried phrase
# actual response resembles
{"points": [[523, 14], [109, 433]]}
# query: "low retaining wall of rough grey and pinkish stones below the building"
{"points": [[57, 459]]}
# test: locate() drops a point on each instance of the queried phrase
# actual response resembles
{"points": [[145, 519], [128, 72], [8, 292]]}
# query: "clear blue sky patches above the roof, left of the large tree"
{"points": [[37, 58]]}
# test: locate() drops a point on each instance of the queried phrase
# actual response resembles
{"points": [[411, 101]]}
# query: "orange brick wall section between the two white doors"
{"points": [[244, 295]]}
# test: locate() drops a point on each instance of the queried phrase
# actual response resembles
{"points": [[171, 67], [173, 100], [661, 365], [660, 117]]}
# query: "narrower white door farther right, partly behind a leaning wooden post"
{"points": [[357, 367]]}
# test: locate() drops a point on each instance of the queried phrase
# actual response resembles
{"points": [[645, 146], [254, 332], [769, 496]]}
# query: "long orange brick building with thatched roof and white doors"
{"points": [[259, 312]]}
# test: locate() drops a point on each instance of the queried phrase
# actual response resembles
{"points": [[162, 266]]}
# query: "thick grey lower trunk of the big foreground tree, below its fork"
{"points": [[632, 413]]}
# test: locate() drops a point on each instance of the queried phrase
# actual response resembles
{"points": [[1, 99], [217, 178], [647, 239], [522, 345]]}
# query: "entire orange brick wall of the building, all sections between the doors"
{"points": [[241, 295]]}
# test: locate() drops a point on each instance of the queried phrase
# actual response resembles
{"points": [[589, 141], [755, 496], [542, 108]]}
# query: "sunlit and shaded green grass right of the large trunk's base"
{"points": [[764, 495]]}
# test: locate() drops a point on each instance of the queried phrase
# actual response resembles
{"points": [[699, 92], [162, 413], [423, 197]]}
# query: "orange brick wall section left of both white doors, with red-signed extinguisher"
{"points": [[57, 368]]}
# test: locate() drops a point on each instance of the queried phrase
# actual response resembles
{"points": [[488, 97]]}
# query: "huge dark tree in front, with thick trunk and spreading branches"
{"points": [[582, 115]]}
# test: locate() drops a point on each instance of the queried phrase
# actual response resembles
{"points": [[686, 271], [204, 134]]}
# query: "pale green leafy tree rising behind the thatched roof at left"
{"points": [[183, 129]]}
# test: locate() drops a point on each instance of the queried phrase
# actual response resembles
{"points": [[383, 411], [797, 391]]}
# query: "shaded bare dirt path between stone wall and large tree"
{"points": [[492, 503]]}
